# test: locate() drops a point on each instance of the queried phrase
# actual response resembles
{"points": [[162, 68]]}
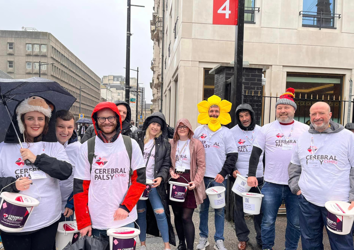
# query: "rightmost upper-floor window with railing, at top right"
{"points": [[318, 13]]}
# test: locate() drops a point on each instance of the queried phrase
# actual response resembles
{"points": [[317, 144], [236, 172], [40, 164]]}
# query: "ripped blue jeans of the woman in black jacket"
{"points": [[161, 219]]}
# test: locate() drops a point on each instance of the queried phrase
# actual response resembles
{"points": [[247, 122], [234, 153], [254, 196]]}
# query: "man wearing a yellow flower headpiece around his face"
{"points": [[220, 158]]}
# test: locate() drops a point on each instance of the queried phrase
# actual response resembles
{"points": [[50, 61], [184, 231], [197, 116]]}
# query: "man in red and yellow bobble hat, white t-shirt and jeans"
{"points": [[277, 140]]}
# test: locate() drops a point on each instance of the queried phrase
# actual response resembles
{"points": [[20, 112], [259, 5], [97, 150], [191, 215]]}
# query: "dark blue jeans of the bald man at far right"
{"points": [[312, 220]]}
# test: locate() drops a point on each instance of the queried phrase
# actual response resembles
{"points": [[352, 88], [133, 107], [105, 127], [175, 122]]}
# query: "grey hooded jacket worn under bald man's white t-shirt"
{"points": [[295, 170]]}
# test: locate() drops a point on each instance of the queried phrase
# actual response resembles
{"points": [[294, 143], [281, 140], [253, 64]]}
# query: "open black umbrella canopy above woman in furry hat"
{"points": [[13, 91]]}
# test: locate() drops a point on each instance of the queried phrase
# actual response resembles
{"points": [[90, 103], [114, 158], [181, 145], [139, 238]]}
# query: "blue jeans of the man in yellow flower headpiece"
{"points": [[218, 216]]}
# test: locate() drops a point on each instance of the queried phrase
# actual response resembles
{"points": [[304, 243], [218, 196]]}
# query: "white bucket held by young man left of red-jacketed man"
{"points": [[67, 233]]}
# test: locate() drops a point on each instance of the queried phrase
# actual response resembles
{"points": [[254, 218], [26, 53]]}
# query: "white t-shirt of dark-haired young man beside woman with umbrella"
{"points": [[67, 186]]}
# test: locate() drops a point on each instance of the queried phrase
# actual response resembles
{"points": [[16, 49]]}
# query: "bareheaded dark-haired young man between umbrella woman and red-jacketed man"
{"points": [[66, 135]]}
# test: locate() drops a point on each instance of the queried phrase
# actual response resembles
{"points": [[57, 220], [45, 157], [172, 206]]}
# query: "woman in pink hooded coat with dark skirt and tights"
{"points": [[188, 163]]}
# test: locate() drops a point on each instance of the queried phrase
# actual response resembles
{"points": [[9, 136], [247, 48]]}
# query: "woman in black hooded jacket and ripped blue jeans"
{"points": [[152, 140]]}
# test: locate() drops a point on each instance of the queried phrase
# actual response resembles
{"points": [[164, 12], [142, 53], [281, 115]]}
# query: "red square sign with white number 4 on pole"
{"points": [[225, 12]]}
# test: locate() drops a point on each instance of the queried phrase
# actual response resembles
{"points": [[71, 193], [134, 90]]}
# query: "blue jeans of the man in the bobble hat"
{"points": [[274, 194]]}
